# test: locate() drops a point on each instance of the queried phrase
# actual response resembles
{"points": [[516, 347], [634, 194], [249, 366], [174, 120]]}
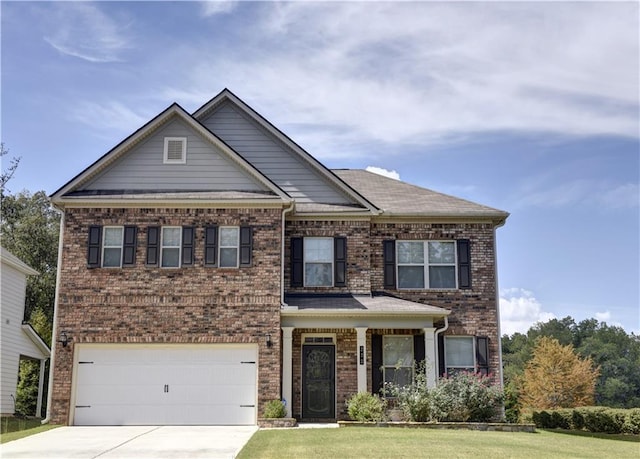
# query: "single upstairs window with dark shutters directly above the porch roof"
{"points": [[318, 262]]}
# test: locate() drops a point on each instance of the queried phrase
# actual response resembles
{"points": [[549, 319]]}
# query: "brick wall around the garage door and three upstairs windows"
{"points": [[194, 304]]}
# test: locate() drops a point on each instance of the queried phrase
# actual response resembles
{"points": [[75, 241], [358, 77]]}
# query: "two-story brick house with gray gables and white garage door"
{"points": [[209, 264]]}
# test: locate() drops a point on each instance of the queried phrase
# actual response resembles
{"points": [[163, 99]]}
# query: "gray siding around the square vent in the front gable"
{"points": [[206, 167]]}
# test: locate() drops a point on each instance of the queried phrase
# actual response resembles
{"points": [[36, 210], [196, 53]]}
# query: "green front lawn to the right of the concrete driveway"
{"points": [[364, 442]]}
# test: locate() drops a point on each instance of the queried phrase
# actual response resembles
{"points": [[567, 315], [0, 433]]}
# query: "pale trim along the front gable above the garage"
{"points": [[126, 145]]}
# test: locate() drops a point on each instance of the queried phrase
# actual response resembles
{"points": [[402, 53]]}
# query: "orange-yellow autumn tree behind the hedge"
{"points": [[556, 377]]}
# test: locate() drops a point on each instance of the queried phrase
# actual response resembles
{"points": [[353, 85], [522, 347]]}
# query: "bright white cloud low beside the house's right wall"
{"points": [[519, 310]]}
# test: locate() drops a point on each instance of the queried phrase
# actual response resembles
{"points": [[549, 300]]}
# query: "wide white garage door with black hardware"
{"points": [[165, 385]]}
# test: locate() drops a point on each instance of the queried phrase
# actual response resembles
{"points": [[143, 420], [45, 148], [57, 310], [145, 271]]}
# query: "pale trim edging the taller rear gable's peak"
{"points": [[336, 181]]}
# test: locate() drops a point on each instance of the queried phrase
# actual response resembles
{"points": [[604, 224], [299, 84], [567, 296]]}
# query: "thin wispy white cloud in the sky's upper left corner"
{"points": [[82, 30]]}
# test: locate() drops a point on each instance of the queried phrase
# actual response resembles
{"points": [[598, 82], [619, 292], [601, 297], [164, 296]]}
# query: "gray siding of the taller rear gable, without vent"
{"points": [[271, 157]]}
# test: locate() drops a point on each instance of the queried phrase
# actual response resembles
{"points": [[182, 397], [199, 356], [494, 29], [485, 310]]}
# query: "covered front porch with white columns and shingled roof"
{"points": [[335, 346]]}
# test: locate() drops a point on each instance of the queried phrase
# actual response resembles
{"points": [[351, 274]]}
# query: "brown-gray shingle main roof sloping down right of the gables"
{"points": [[395, 197]]}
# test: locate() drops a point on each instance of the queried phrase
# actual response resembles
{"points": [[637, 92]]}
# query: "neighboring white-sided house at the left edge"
{"points": [[18, 339]]}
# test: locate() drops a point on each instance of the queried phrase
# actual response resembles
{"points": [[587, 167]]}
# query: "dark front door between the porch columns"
{"points": [[318, 382]]}
